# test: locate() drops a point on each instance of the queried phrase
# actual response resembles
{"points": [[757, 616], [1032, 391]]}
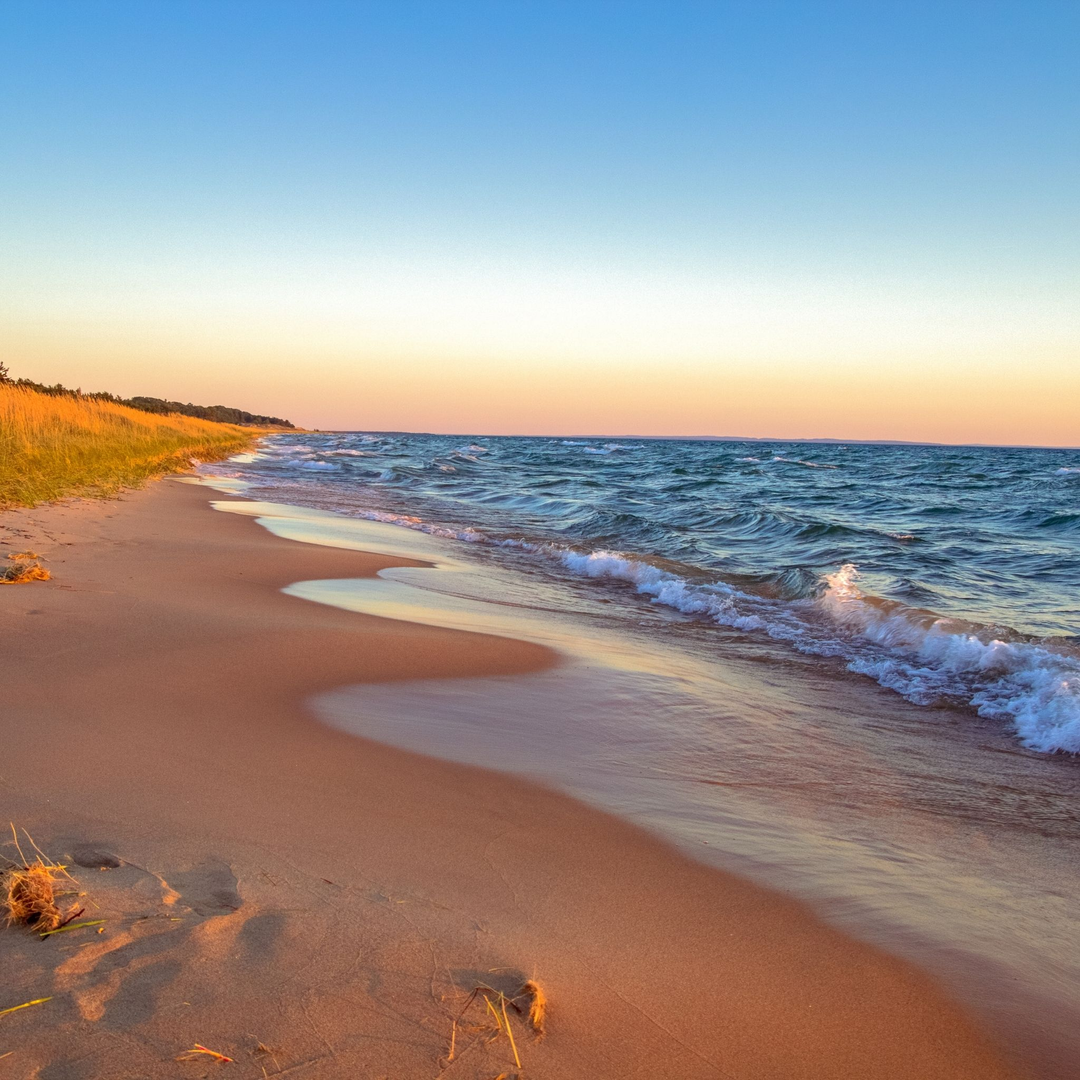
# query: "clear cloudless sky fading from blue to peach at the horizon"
{"points": [[790, 220]]}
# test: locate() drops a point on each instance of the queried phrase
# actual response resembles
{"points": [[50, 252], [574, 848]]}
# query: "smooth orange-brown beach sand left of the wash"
{"points": [[267, 881]]}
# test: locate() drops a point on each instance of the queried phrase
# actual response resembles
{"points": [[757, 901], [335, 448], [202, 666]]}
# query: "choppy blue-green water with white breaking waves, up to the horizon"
{"points": [[948, 575]]}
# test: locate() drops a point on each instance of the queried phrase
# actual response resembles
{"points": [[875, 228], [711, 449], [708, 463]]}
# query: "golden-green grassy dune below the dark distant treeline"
{"points": [[55, 447]]}
